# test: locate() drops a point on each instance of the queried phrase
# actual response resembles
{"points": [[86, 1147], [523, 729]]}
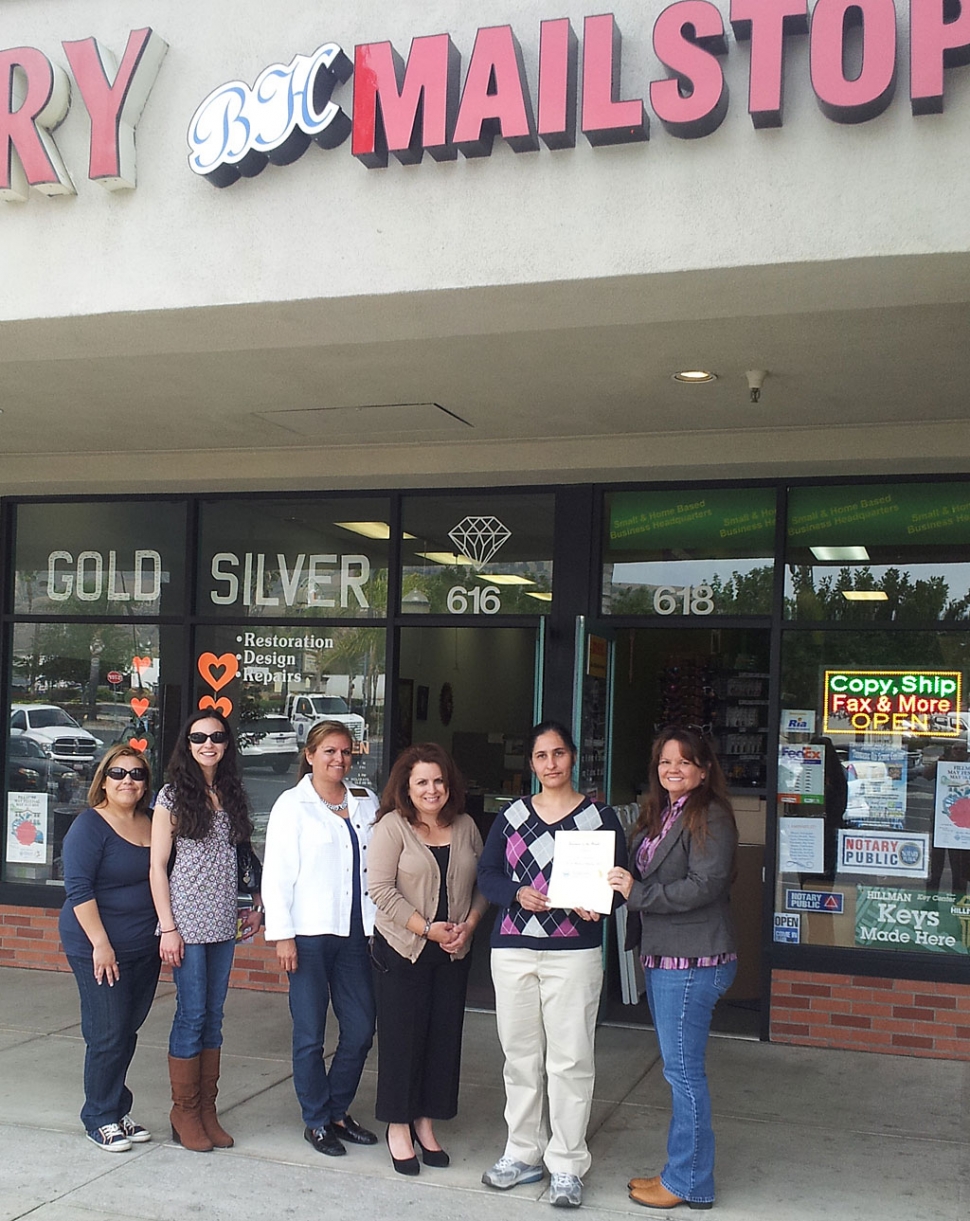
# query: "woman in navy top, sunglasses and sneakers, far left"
{"points": [[108, 932]]}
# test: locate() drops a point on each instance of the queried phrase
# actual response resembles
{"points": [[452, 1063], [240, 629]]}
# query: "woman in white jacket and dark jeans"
{"points": [[321, 916]]}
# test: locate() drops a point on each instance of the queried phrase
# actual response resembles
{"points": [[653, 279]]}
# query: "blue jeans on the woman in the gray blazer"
{"points": [[682, 1004]]}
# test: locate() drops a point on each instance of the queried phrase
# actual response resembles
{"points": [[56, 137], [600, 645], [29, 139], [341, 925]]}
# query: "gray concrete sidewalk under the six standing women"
{"points": [[803, 1134]]}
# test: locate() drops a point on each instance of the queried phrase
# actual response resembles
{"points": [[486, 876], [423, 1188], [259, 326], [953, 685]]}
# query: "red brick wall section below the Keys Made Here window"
{"points": [[862, 1014]]}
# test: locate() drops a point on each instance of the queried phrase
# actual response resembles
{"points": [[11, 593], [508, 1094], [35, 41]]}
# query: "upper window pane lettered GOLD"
{"points": [[101, 559]]}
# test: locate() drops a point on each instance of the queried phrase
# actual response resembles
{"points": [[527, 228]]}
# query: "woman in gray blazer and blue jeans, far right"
{"points": [[677, 892]]}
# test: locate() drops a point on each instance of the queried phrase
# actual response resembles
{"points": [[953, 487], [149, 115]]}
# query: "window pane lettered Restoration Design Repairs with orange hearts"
{"points": [[274, 684]]}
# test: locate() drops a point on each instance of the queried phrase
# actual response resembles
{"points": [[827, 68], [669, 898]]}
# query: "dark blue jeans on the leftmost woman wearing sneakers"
{"points": [[111, 1020]]}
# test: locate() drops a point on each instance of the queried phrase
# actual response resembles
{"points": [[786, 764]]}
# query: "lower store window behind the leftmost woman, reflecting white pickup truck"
{"points": [[75, 690]]}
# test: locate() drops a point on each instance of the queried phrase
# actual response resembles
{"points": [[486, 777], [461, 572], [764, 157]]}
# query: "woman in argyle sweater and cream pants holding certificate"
{"points": [[548, 973]]}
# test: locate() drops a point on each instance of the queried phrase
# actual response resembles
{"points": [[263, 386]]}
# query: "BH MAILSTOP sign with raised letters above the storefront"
{"points": [[422, 106]]}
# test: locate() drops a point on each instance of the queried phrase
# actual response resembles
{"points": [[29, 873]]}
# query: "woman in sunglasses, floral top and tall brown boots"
{"points": [[202, 819]]}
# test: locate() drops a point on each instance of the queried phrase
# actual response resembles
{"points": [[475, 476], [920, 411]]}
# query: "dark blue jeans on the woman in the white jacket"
{"points": [[330, 969]]}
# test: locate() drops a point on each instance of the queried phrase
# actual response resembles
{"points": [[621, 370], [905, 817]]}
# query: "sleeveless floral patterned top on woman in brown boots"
{"points": [[203, 883]]}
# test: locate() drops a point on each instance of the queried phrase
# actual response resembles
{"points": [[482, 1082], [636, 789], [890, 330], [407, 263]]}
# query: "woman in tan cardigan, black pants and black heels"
{"points": [[422, 868]]}
